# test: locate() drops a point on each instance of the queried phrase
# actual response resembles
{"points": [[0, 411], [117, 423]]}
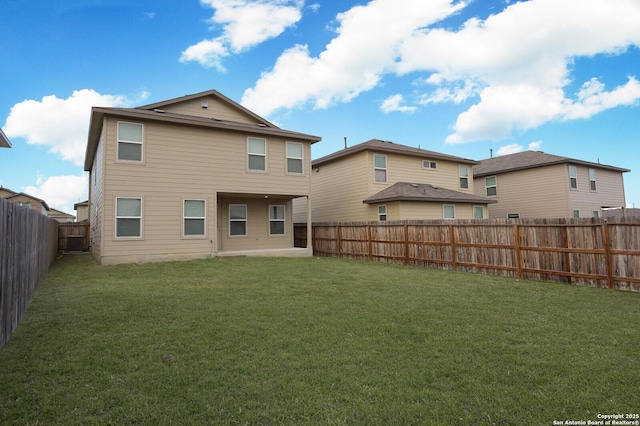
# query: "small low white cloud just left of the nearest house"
{"points": [[60, 192]]}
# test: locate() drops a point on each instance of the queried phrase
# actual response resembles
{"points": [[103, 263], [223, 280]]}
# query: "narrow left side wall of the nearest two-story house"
{"points": [[96, 200]]}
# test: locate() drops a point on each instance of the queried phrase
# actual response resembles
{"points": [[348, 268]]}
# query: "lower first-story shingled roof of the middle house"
{"points": [[404, 191]]}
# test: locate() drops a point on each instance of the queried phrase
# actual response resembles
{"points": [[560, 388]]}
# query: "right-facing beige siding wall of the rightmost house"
{"points": [[609, 191]]}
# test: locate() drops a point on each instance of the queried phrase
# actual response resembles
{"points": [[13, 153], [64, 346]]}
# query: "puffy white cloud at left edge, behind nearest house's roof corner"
{"points": [[60, 124]]}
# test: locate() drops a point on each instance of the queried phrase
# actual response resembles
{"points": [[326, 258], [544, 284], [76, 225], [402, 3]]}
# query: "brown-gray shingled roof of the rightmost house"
{"points": [[528, 160]]}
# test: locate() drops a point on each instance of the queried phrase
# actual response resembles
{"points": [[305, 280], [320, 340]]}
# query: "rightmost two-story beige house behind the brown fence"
{"points": [[533, 184]]}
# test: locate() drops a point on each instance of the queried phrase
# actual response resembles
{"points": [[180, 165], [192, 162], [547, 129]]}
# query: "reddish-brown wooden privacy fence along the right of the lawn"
{"points": [[590, 252]]}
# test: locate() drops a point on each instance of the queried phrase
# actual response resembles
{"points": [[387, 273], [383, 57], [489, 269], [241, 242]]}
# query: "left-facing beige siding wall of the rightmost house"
{"points": [[537, 192]]}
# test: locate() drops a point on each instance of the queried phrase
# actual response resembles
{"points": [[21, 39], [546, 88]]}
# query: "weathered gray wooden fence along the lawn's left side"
{"points": [[28, 247]]}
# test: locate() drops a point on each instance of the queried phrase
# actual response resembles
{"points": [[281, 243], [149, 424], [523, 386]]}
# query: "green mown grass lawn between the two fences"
{"points": [[315, 341]]}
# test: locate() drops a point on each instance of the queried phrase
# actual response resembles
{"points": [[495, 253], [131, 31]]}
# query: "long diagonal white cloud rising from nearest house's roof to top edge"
{"points": [[365, 48]]}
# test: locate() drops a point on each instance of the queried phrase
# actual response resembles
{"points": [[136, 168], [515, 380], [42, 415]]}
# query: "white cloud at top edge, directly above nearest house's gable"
{"points": [[245, 24]]}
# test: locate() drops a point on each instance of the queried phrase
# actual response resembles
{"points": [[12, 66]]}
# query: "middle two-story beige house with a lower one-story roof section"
{"points": [[381, 180]]}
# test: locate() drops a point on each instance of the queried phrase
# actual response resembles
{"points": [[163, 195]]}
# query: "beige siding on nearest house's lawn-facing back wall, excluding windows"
{"points": [[182, 162]]}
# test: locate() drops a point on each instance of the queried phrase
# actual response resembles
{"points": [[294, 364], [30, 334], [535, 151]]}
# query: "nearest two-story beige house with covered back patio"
{"points": [[193, 177]]}
